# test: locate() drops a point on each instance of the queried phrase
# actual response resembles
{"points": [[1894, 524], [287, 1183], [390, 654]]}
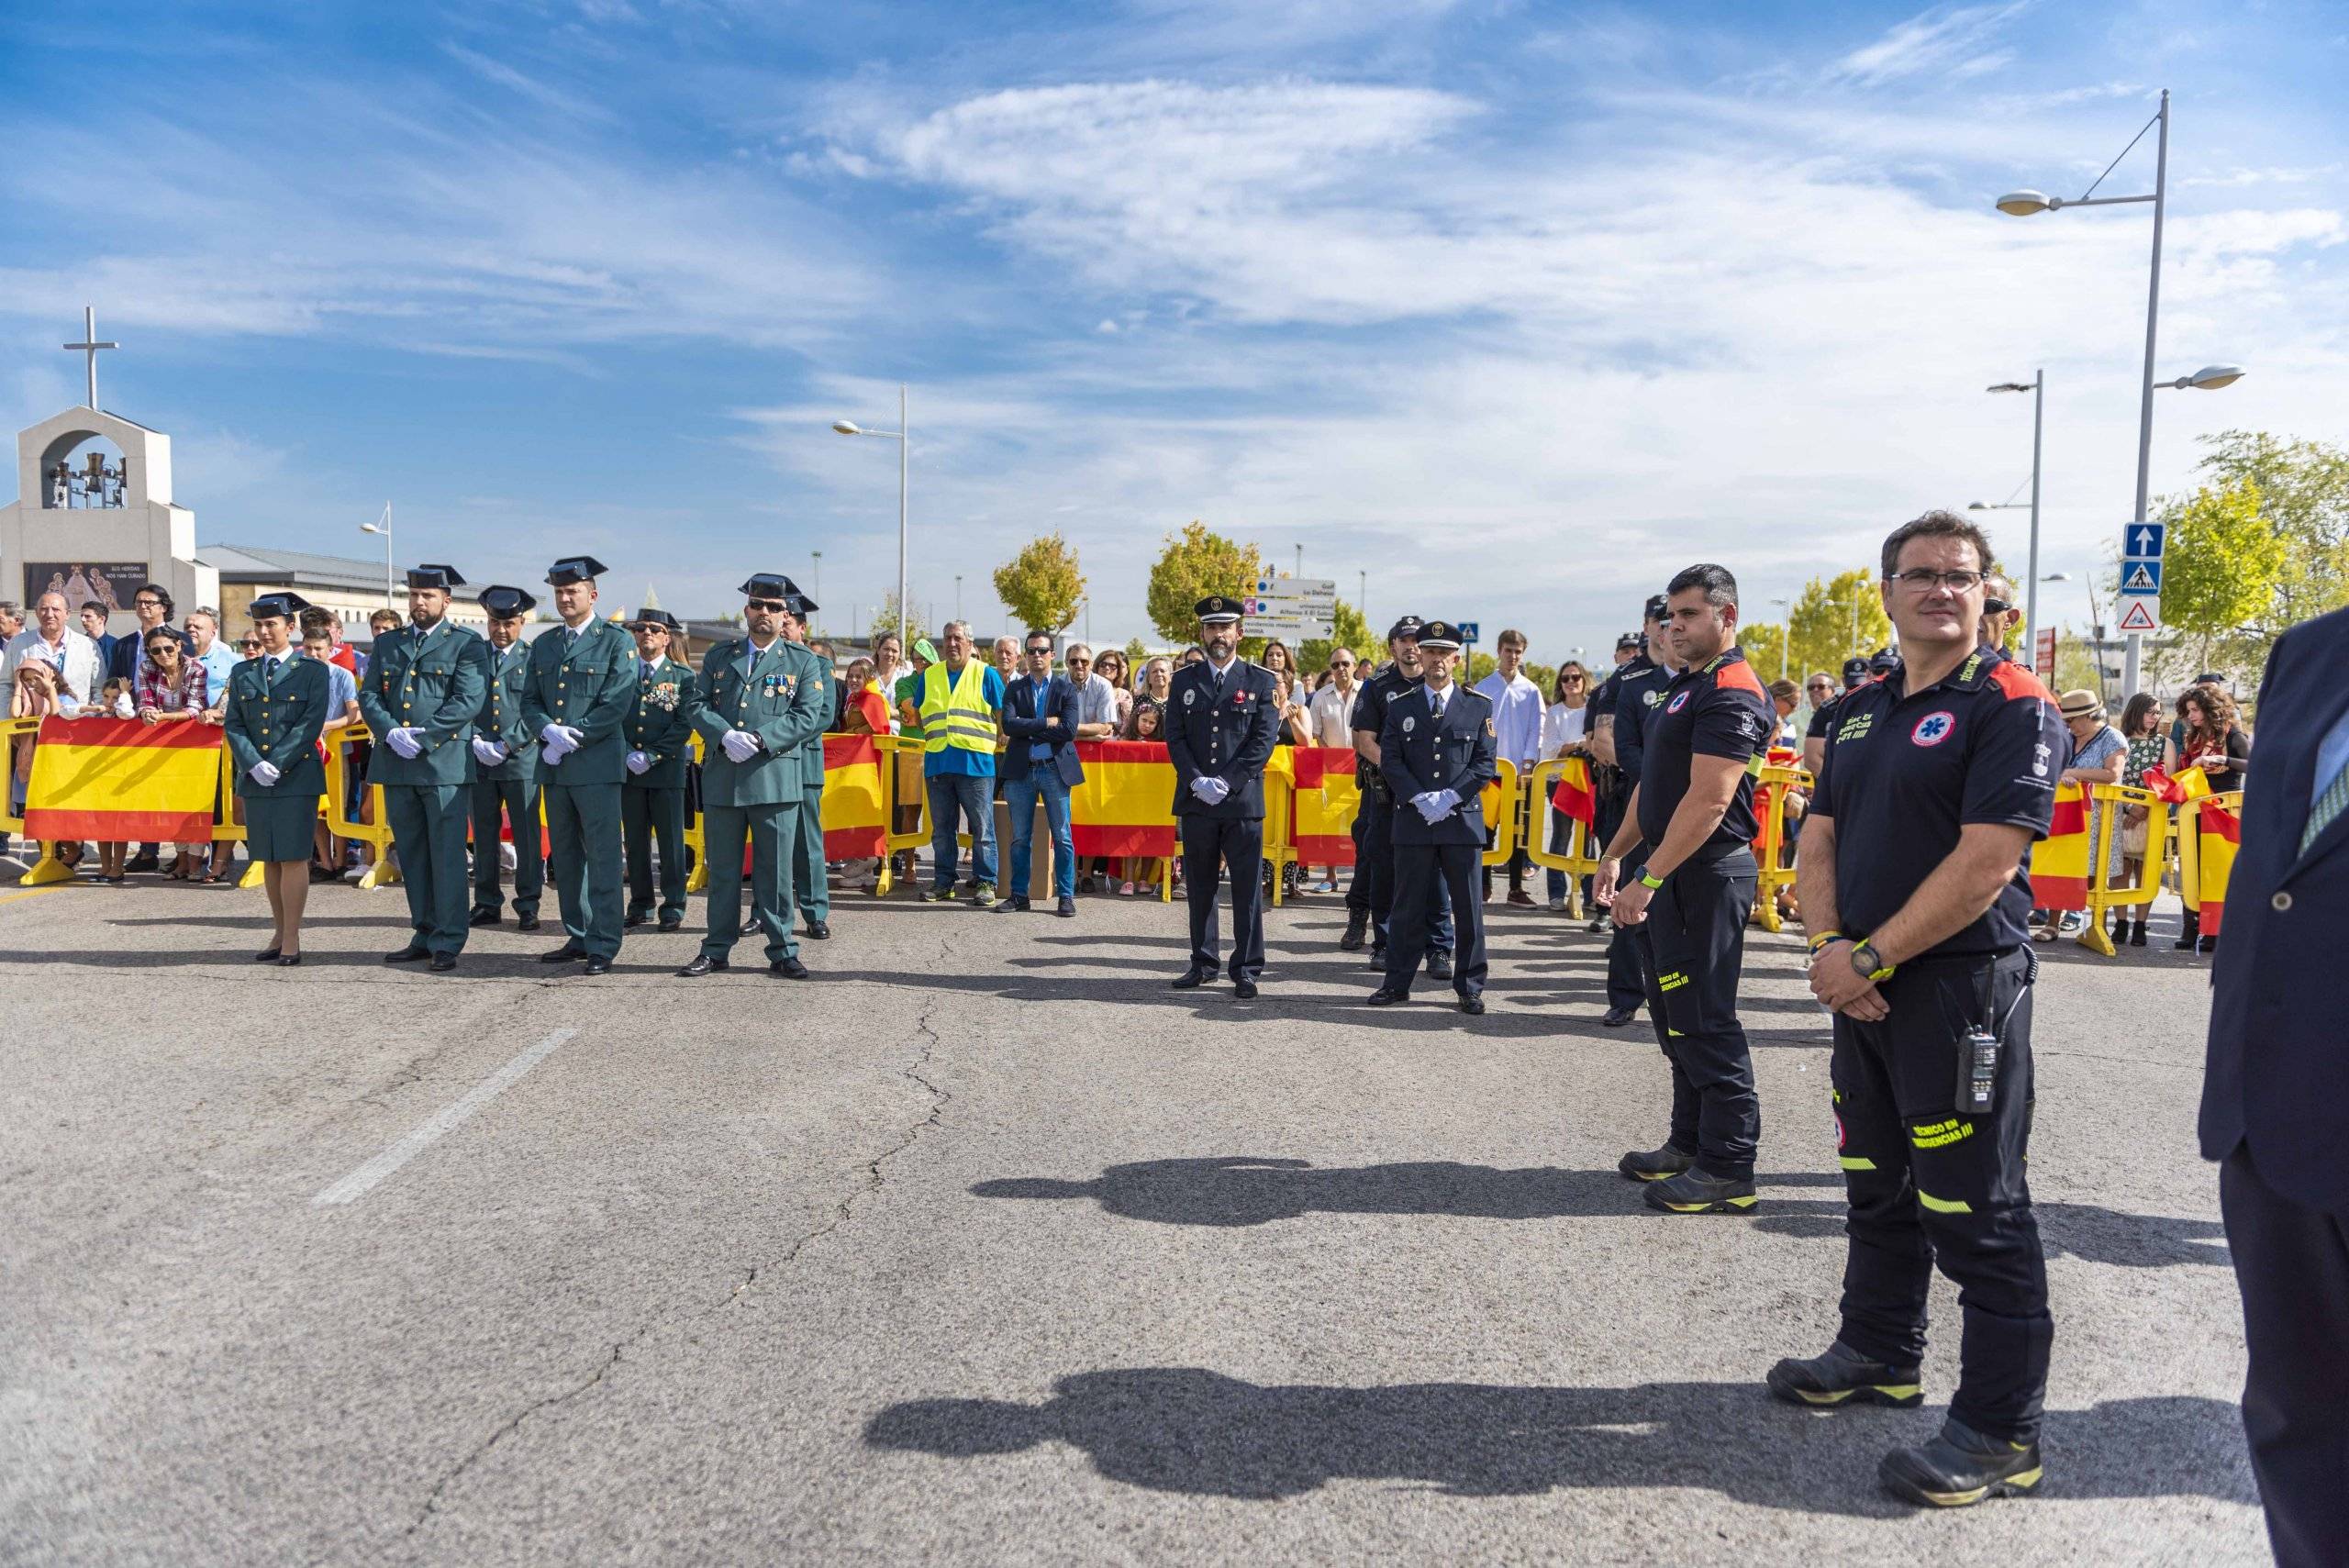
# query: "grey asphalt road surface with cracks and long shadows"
{"points": [[985, 1248]]}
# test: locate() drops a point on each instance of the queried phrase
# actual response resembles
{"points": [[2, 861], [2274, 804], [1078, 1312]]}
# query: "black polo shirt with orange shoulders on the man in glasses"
{"points": [[1904, 773]]}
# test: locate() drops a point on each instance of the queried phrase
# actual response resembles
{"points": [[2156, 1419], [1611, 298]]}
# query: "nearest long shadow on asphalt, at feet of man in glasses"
{"points": [[1190, 1431]]}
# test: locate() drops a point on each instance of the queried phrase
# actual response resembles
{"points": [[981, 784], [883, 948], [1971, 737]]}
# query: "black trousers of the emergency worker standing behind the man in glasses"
{"points": [[1692, 949]]}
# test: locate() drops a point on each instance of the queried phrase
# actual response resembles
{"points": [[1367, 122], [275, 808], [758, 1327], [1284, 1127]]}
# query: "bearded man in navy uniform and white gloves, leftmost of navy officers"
{"points": [[1223, 717]]}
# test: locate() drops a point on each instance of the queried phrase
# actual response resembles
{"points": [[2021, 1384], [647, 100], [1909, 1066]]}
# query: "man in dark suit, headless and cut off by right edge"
{"points": [[2277, 1093]]}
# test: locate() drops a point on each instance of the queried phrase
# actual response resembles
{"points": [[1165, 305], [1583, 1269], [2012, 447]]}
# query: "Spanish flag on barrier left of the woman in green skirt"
{"points": [[116, 780]]}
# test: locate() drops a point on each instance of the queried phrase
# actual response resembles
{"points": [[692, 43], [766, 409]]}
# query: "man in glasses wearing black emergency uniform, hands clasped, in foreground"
{"points": [[1916, 891]]}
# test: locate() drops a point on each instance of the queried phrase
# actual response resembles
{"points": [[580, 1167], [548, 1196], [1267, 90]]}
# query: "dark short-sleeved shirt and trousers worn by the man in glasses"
{"points": [[1904, 776]]}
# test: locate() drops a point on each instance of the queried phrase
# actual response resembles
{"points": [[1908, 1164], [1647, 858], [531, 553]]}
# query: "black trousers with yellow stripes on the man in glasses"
{"points": [[1934, 1187]]}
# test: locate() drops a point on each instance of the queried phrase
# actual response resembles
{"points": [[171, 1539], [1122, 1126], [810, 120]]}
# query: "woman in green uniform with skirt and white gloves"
{"points": [[276, 712]]}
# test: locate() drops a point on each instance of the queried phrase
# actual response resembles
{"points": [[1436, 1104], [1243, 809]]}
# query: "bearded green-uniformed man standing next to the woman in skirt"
{"points": [[422, 696]]}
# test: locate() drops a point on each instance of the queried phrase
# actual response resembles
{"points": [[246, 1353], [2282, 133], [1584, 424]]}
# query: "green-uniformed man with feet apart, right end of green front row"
{"points": [[765, 701]]}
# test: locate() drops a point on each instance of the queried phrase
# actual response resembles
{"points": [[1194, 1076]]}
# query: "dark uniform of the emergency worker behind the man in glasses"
{"points": [[1695, 935]]}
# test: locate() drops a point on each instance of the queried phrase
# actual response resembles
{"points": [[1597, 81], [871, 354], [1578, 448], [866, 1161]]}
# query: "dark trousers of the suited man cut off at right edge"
{"points": [[2294, 1271]]}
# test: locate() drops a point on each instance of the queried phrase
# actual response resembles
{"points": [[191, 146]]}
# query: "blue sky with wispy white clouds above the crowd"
{"points": [[1514, 306]]}
